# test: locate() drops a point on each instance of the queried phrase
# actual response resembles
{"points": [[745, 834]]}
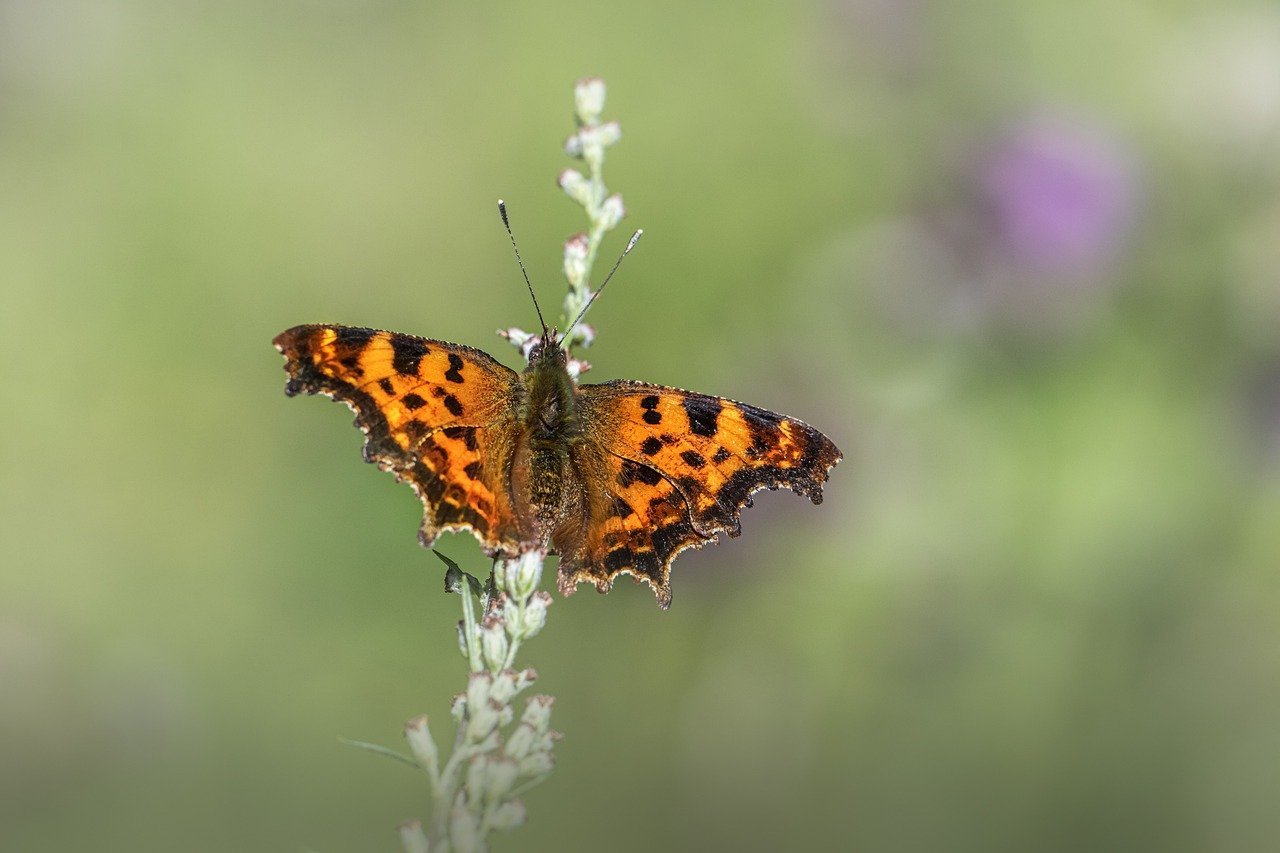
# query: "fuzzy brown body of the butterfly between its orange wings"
{"points": [[551, 428]]}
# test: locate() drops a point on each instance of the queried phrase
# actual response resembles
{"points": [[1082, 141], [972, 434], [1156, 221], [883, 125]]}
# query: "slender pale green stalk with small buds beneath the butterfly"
{"points": [[497, 758]]}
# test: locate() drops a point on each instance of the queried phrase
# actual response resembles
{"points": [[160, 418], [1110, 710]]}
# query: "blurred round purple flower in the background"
{"points": [[1060, 195]]}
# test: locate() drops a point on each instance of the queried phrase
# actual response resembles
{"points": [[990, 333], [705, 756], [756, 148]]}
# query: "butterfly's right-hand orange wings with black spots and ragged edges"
{"points": [[676, 469]]}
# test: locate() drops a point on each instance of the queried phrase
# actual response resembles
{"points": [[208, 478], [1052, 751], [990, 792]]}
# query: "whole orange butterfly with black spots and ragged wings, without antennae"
{"points": [[616, 478]]}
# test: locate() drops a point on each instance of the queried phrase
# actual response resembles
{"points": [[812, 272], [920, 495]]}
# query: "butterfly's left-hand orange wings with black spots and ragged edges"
{"points": [[437, 416]]}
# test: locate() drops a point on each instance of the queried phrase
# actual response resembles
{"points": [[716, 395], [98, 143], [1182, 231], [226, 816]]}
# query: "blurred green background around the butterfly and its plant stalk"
{"points": [[1018, 259]]}
